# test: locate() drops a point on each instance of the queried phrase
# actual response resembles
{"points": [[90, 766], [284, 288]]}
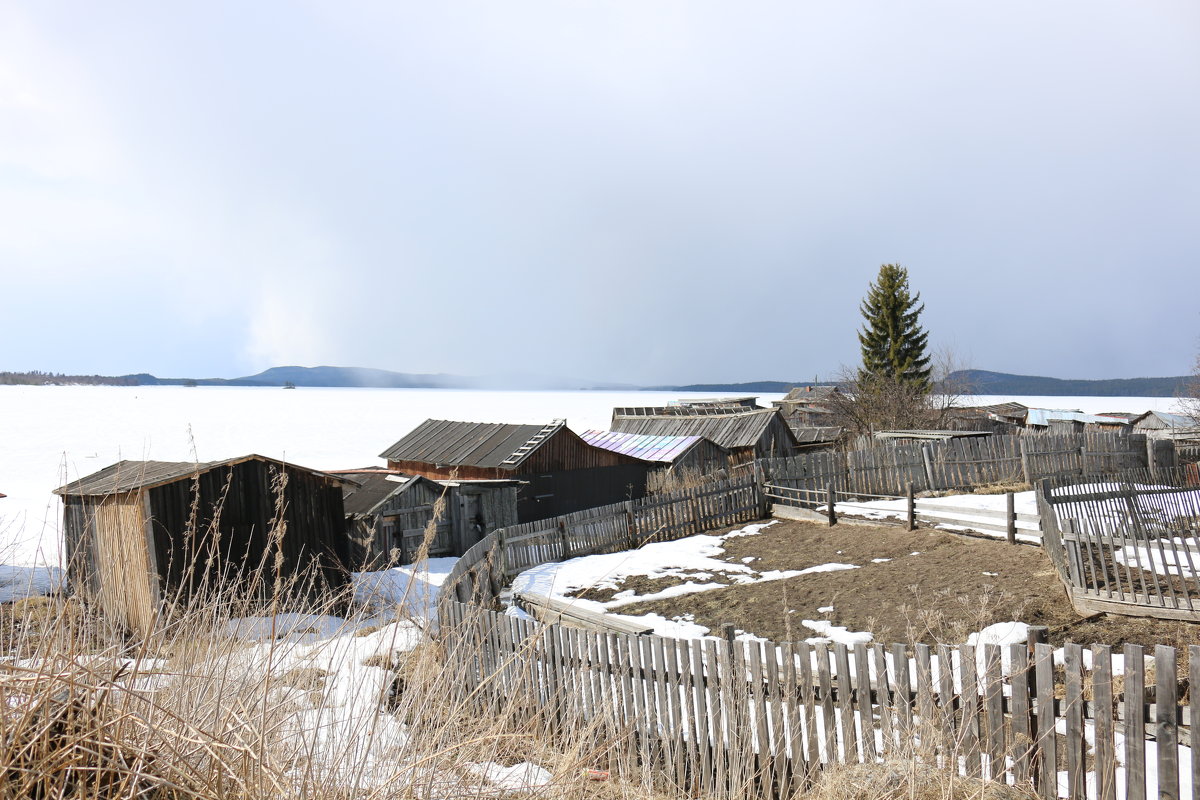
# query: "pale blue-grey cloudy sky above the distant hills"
{"points": [[644, 193]]}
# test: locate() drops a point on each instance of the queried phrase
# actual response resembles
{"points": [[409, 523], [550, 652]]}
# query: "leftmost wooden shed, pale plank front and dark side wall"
{"points": [[142, 536]]}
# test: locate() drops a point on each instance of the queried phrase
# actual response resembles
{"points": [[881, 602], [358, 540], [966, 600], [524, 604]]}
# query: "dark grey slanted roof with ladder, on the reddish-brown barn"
{"points": [[472, 444]]}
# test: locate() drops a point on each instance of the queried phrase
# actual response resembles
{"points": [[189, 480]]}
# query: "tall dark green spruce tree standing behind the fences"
{"points": [[892, 339]]}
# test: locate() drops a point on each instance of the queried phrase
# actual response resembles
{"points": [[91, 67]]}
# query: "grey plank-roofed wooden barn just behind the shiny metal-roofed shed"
{"points": [[746, 435]]}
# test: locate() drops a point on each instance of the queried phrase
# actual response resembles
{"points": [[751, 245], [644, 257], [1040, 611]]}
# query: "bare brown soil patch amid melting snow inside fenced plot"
{"points": [[934, 590]]}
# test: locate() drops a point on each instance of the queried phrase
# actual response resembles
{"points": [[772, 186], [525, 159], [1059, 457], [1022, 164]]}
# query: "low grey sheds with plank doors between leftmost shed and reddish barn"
{"points": [[388, 513]]}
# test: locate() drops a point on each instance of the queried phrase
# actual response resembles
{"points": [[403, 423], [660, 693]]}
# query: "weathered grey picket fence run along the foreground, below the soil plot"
{"points": [[757, 719]]}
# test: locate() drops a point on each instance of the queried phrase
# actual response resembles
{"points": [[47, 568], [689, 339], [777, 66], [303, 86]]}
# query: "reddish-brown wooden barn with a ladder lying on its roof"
{"points": [[559, 471]]}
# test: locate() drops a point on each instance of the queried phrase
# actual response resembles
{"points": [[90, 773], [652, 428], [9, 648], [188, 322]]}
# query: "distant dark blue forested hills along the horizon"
{"points": [[977, 382]]}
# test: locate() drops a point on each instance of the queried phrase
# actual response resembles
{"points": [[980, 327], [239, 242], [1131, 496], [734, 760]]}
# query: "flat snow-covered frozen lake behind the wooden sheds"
{"points": [[55, 435]]}
